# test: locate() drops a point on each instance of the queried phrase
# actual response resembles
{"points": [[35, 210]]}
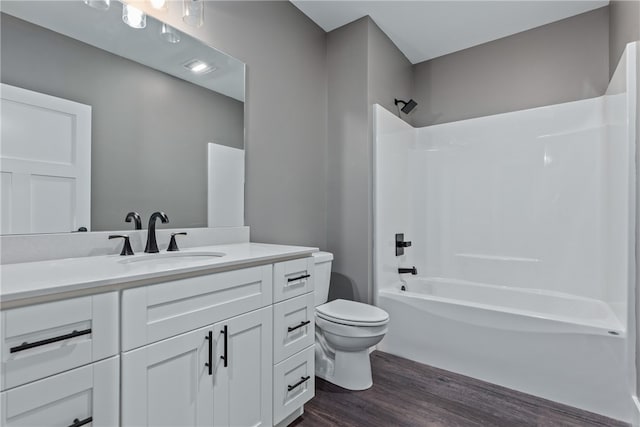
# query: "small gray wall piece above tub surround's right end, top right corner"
{"points": [[624, 27]]}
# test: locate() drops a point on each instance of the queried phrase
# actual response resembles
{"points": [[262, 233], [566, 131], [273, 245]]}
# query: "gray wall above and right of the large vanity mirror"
{"points": [[286, 126]]}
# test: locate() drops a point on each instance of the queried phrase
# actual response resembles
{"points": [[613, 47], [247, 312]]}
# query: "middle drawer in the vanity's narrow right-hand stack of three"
{"points": [[293, 326]]}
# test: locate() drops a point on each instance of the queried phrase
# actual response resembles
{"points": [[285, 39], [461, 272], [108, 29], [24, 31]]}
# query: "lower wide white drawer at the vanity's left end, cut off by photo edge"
{"points": [[82, 393]]}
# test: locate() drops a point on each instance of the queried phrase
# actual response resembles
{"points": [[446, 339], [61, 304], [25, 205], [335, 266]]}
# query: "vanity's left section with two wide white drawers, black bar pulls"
{"points": [[59, 363]]}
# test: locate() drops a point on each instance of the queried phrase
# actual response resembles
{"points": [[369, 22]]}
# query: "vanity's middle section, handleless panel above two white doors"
{"points": [[219, 374]]}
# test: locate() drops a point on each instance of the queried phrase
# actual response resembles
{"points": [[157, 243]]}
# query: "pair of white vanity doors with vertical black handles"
{"points": [[219, 375]]}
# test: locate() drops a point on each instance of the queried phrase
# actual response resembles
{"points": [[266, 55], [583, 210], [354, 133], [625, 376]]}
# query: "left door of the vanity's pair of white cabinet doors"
{"points": [[169, 383]]}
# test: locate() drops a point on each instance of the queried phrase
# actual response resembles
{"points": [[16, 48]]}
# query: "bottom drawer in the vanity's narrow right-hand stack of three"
{"points": [[293, 383]]}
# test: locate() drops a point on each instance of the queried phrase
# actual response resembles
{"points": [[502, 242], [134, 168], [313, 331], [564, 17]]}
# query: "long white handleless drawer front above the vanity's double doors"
{"points": [[153, 313]]}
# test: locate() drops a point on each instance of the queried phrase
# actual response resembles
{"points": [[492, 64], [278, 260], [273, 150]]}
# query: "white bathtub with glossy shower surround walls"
{"points": [[522, 228]]}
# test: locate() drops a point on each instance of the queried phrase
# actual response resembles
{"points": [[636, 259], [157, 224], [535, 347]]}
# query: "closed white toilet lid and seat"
{"points": [[351, 312]]}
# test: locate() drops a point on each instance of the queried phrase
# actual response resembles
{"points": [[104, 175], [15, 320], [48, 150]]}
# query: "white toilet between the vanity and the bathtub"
{"points": [[345, 330]]}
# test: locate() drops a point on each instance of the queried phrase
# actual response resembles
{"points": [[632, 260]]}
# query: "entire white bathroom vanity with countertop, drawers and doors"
{"points": [[193, 338]]}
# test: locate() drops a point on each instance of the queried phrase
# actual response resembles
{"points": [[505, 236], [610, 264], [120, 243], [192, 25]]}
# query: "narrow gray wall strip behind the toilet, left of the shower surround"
{"points": [[348, 202]]}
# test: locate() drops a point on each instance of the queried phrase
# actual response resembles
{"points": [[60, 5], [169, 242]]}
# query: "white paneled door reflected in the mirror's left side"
{"points": [[45, 163]]}
